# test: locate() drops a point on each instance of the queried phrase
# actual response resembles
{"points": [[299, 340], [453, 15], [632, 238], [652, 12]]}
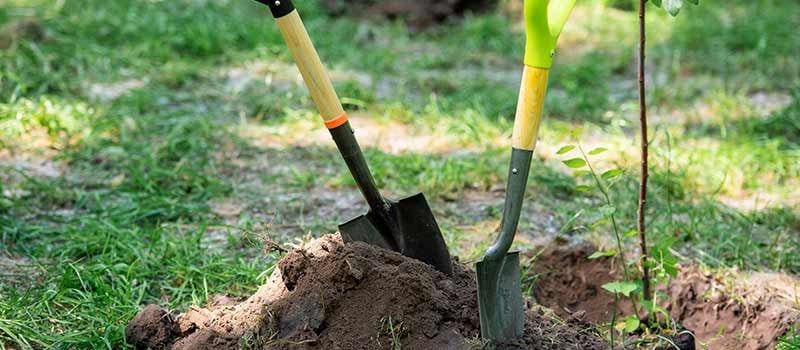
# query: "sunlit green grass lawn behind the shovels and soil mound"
{"points": [[129, 221]]}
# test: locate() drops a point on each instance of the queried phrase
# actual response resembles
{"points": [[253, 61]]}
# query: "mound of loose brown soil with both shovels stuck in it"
{"points": [[329, 295]]}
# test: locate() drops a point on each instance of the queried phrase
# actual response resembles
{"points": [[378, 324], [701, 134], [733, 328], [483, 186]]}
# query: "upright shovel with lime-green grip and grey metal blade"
{"points": [[500, 302]]}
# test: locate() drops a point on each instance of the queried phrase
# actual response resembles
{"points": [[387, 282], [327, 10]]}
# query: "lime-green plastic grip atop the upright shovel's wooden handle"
{"points": [[544, 20]]}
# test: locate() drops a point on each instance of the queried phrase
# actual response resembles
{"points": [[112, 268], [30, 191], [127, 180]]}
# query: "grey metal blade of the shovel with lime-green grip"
{"points": [[500, 298]]}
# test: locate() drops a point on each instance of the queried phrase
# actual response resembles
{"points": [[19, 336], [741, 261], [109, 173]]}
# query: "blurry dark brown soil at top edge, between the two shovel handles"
{"points": [[417, 14]]}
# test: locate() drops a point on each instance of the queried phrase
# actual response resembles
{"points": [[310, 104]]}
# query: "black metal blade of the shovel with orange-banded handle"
{"points": [[407, 227]]}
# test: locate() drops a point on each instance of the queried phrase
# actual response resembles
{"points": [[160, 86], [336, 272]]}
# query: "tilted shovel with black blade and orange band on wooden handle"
{"points": [[406, 226]]}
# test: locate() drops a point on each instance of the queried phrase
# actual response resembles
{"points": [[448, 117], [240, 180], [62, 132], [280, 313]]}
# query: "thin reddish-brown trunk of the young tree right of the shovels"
{"points": [[640, 212]]}
